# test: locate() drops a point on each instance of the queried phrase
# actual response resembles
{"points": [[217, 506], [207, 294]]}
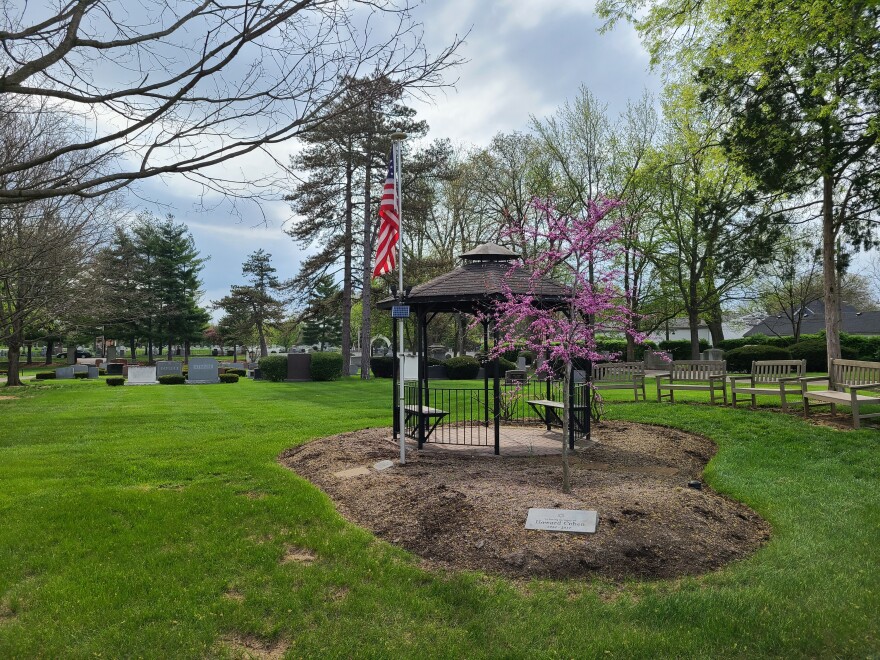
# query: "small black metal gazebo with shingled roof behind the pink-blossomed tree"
{"points": [[464, 415]]}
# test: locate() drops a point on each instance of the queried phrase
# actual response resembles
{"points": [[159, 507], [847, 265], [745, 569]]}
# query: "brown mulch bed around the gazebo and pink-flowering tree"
{"points": [[464, 511]]}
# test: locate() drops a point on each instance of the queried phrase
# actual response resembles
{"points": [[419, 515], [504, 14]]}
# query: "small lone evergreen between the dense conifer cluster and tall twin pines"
{"points": [[256, 304]]}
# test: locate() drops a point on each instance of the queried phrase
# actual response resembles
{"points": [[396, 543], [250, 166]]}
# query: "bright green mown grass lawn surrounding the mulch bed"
{"points": [[129, 515]]}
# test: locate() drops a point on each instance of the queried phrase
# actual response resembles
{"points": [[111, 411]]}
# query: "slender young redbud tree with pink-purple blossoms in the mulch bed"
{"points": [[593, 306]]}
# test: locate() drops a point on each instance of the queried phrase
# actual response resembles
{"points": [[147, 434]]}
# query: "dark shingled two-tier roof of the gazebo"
{"points": [[478, 282]]}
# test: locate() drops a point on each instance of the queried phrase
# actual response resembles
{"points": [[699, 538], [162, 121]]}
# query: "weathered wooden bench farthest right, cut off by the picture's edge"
{"points": [[855, 376]]}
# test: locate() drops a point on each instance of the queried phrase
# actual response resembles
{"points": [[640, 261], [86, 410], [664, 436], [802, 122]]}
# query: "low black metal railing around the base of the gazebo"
{"points": [[466, 415]]}
